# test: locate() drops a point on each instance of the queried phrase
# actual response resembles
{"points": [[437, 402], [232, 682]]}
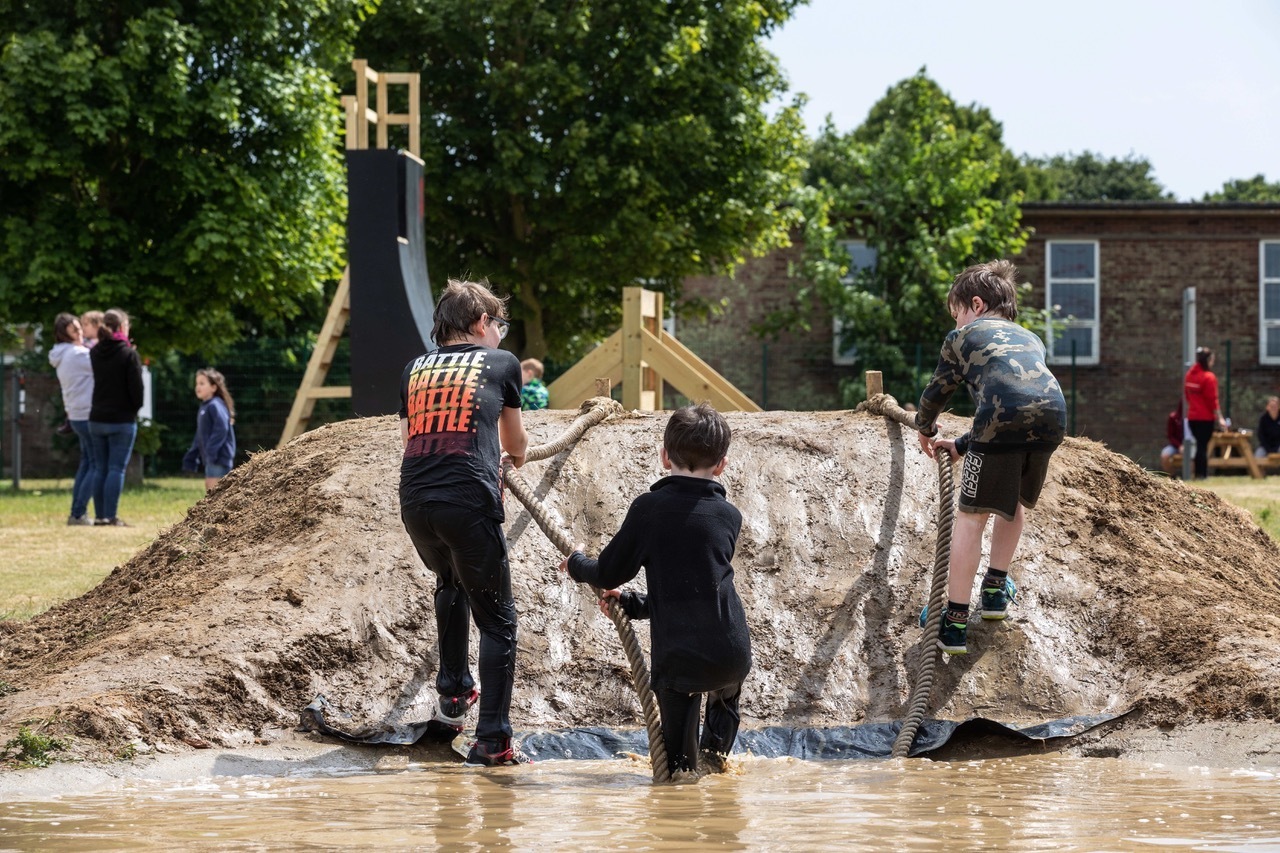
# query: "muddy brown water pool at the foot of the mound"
{"points": [[1049, 802]]}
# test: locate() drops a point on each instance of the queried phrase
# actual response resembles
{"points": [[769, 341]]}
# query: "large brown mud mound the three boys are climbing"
{"points": [[296, 580]]}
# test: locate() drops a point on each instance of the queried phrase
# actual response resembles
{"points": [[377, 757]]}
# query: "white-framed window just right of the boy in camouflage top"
{"points": [[1072, 295]]}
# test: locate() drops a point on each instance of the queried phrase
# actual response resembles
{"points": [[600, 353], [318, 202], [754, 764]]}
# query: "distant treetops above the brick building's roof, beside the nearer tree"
{"points": [[1091, 177]]}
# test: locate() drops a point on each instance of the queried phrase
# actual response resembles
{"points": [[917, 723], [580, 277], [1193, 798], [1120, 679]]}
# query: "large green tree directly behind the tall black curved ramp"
{"points": [[577, 148]]}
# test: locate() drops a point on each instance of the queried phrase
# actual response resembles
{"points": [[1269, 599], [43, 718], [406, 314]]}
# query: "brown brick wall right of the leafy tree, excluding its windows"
{"points": [[1146, 258]]}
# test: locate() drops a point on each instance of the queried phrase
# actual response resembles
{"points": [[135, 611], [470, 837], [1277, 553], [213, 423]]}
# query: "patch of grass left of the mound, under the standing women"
{"points": [[47, 563]]}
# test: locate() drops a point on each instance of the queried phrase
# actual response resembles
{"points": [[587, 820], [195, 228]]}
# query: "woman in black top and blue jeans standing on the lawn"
{"points": [[113, 419]]}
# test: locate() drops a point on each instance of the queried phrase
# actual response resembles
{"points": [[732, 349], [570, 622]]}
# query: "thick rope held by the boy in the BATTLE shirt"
{"points": [[593, 413]]}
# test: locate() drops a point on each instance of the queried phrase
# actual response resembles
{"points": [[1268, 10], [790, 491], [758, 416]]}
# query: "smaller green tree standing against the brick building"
{"points": [[932, 189]]}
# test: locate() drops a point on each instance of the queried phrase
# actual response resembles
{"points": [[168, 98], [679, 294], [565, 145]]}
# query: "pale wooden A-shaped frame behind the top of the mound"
{"points": [[641, 357]]}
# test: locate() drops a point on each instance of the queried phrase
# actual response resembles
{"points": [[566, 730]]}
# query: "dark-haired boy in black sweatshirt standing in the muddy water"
{"points": [[683, 532]]}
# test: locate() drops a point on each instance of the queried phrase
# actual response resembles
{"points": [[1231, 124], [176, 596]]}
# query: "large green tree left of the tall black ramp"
{"points": [[175, 158]]}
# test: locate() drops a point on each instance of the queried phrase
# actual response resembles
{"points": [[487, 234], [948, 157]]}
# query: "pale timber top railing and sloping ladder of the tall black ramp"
{"points": [[359, 118]]}
